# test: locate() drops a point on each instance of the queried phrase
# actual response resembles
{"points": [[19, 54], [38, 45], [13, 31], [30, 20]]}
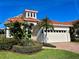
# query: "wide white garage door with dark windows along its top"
{"points": [[61, 36]]}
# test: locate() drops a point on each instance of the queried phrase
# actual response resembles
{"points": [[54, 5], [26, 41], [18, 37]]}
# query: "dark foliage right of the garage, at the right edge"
{"points": [[74, 30]]}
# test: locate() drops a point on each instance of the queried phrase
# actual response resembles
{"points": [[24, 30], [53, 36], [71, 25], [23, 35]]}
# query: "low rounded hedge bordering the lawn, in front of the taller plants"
{"points": [[27, 49]]}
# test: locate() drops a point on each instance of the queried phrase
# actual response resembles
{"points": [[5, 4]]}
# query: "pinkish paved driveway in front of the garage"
{"points": [[71, 46]]}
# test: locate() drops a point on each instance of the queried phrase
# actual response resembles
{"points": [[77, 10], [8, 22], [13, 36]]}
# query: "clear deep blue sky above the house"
{"points": [[57, 10]]}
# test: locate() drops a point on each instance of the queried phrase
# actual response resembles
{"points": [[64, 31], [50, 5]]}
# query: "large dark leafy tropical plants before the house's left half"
{"points": [[19, 32]]}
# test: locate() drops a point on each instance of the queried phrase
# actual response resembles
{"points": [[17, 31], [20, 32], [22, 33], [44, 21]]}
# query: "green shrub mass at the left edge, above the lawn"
{"points": [[6, 43]]}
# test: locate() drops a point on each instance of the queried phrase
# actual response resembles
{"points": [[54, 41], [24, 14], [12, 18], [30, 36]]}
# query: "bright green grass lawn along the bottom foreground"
{"points": [[44, 54]]}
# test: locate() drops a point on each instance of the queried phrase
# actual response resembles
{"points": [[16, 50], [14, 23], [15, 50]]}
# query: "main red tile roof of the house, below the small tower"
{"points": [[35, 20]]}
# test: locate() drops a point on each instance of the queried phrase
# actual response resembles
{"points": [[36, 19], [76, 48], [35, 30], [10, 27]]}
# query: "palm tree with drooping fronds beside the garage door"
{"points": [[43, 25]]}
